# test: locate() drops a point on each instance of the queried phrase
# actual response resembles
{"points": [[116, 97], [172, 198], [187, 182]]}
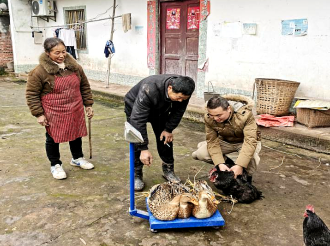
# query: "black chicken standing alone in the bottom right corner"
{"points": [[316, 233]]}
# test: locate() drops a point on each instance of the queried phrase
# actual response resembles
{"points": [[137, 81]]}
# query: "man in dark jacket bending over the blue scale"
{"points": [[162, 101]]}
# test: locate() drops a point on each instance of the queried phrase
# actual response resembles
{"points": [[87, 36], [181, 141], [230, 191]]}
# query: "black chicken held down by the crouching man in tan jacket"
{"points": [[239, 188]]}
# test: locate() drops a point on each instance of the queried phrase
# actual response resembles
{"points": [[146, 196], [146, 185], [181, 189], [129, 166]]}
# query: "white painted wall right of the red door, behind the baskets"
{"points": [[236, 62]]}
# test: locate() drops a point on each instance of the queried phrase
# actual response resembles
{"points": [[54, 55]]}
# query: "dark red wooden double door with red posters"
{"points": [[179, 21]]}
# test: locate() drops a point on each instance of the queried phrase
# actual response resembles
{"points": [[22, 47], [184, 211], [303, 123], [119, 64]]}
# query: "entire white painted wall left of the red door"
{"points": [[131, 47]]}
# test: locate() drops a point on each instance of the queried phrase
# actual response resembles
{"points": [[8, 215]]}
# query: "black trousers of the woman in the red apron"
{"points": [[53, 150]]}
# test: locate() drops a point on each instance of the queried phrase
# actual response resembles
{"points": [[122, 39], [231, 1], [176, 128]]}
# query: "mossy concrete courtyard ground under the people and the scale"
{"points": [[91, 207]]}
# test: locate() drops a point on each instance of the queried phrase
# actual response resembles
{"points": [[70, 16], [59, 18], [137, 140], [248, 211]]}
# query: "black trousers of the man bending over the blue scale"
{"points": [[165, 152]]}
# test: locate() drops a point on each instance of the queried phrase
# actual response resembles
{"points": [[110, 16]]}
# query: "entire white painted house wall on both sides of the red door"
{"points": [[233, 62]]}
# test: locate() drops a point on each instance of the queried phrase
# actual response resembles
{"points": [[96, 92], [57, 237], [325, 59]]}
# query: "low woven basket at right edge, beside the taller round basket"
{"points": [[313, 117]]}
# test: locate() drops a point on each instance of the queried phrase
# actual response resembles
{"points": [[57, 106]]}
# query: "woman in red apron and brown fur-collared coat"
{"points": [[57, 91]]}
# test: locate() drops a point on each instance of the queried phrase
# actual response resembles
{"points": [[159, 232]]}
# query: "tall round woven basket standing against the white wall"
{"points": [[274, 96]]}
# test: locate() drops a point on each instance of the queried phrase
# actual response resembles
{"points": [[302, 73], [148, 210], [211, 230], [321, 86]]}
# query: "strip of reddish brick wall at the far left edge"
{"points": [[6, 49]]}
